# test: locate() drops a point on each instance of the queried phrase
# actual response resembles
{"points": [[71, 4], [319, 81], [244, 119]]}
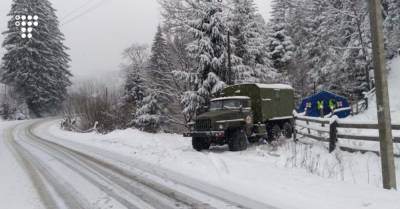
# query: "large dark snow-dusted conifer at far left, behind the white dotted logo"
{"points": [[36, 68]]}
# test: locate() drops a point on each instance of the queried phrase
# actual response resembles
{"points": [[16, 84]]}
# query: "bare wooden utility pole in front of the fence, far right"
{"points": [[382, 95]]}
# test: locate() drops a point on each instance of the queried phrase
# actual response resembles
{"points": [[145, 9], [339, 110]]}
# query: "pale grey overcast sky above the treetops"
{"points": [[97, 38]]}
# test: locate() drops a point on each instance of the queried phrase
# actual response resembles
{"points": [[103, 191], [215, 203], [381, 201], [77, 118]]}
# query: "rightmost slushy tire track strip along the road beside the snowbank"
{"points": [[111, 159]]}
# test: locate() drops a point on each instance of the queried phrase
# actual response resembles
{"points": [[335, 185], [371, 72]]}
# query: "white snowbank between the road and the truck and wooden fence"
{"points": [[286, 175]]}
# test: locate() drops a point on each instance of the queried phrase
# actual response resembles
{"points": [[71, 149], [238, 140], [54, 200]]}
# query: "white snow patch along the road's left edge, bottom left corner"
{"points": [[16, 189]]}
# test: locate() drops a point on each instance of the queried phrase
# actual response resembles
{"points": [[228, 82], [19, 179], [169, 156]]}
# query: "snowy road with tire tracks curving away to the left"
{"points": [[68, 175]]}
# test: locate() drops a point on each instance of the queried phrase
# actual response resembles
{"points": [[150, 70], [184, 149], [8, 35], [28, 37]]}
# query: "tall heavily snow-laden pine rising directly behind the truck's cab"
{"points": [[203, 19]]}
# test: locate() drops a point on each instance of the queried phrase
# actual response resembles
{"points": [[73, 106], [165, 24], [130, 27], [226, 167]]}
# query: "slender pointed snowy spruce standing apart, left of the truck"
{"points": [[155, 111]]}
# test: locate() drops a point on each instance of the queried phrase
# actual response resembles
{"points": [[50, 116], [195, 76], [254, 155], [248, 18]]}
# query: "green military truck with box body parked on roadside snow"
{"points": [[245, 113]]}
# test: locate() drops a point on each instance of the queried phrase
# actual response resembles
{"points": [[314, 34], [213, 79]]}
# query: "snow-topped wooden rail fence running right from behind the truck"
{"points": [[308, 127]]}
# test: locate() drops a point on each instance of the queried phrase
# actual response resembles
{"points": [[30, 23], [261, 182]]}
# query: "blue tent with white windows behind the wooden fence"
{"points": [[325, 103]]}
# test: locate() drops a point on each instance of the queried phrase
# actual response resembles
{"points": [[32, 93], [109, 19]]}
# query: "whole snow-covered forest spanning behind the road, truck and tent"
{"points": [[200, 47]]}
